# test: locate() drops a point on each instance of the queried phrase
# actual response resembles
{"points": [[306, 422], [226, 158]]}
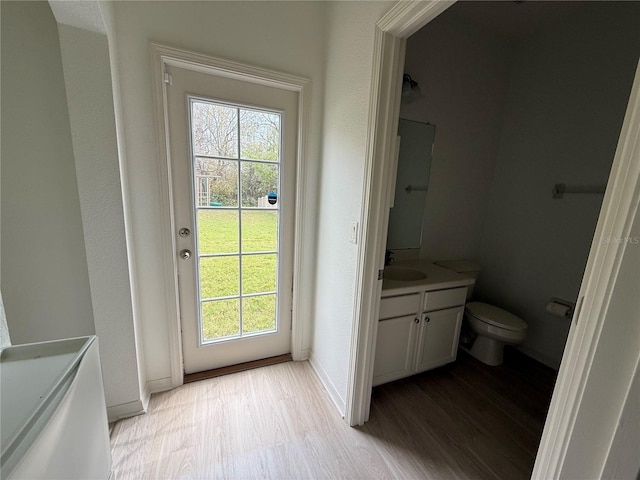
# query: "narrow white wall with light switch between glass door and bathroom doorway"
{"points": [[349, 54]]}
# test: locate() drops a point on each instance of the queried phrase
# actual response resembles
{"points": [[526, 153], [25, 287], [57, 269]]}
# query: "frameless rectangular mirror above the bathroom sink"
{"points": [[412, 182]]}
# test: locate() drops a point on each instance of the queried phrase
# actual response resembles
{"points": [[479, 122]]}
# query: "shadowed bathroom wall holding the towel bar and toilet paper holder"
{"points": [[568, 93]]}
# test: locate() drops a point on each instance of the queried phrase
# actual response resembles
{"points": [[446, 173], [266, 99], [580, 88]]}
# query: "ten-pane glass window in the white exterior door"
{"points": [[244, 178]]}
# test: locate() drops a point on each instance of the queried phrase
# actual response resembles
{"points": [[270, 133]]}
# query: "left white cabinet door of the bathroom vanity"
{"points": [[395, 349]]}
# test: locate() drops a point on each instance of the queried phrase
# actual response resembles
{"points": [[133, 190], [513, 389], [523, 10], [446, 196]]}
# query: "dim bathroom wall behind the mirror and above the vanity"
{"points": [[463, 74]]}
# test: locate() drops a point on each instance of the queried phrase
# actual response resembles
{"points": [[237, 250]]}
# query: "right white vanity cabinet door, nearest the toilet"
{"points": [[438, 338]]}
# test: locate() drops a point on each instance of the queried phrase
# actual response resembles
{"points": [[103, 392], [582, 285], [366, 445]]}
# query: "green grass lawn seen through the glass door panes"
{"points": [[220, 276]]}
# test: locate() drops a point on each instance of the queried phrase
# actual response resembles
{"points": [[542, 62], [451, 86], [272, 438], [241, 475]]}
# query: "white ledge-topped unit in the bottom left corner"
{"points": [[53, 411]]}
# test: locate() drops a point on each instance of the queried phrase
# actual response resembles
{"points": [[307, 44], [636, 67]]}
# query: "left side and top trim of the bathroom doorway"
{"points": [[404, 19]]}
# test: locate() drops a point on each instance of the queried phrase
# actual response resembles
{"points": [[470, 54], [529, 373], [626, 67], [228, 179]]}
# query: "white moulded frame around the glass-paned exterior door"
{"points": [[160, 56]]}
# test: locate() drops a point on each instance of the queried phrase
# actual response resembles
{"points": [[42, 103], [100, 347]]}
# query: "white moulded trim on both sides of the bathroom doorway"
{"points": [[618, 209]]}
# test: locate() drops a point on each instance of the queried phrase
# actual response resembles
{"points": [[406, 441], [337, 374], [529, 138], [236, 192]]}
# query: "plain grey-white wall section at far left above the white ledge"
{"points": [[45, 281]]}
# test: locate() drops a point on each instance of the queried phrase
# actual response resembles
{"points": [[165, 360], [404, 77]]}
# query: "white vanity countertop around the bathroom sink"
{"points": [[438, 278]]}
